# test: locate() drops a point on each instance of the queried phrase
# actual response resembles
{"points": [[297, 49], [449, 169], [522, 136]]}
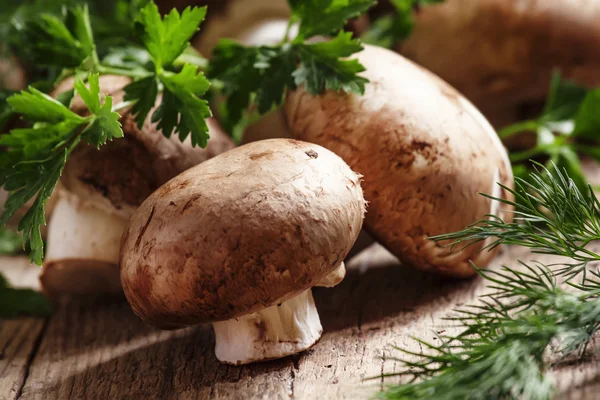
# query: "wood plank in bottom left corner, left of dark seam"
{"points": [[18, 338]]}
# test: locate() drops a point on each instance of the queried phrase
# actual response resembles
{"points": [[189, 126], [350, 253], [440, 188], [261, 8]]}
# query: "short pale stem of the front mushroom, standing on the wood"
{"points": [[274, 332]]}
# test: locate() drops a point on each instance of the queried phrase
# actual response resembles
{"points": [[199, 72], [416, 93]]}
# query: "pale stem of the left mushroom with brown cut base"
{"points": [[83, 248]]}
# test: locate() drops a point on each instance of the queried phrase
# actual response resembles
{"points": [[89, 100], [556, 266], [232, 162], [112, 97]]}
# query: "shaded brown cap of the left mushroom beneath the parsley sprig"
{"points": [[121, 174]]}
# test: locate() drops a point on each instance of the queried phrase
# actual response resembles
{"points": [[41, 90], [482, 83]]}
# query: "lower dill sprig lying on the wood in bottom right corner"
{"points": [[500, 354]]}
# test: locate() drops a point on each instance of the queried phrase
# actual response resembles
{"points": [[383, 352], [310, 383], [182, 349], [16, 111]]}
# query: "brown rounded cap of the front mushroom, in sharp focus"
{"points": [[243, 231]]}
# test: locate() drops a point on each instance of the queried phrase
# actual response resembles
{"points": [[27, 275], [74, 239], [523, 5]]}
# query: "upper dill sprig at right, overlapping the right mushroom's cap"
{"points": [[551, 216]]}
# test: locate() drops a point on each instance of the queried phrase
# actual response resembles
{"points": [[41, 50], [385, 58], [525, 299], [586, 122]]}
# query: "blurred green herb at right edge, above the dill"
{"points": [[568, 126]]}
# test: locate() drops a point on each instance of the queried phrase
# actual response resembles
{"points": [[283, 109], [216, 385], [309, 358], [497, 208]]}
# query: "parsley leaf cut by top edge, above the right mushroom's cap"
{"points": [[322, 17]]}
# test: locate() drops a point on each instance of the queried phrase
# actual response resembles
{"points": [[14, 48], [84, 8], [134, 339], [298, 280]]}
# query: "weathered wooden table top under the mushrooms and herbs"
{"points": [[100, 349]]}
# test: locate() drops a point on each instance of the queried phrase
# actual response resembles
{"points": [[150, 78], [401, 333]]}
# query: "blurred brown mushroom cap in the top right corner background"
{"points": [[502, 52]]}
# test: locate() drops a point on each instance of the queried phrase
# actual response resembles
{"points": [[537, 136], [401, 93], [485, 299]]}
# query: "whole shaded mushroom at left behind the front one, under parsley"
{"points": [[102, 188]]}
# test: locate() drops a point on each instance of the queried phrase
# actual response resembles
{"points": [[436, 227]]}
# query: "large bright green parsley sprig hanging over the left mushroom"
{"points": [[36, 156]]}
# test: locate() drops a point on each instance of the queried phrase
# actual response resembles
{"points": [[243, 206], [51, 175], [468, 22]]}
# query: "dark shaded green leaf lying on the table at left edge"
{"points": [[21, 302]]}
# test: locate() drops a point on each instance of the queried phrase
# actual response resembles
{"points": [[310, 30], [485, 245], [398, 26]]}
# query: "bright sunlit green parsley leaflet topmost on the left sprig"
{"points": [[166, 39]]}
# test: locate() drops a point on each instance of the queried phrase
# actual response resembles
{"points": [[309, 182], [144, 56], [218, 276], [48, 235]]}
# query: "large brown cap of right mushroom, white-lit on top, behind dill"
{"points": [[425, 153]]}
